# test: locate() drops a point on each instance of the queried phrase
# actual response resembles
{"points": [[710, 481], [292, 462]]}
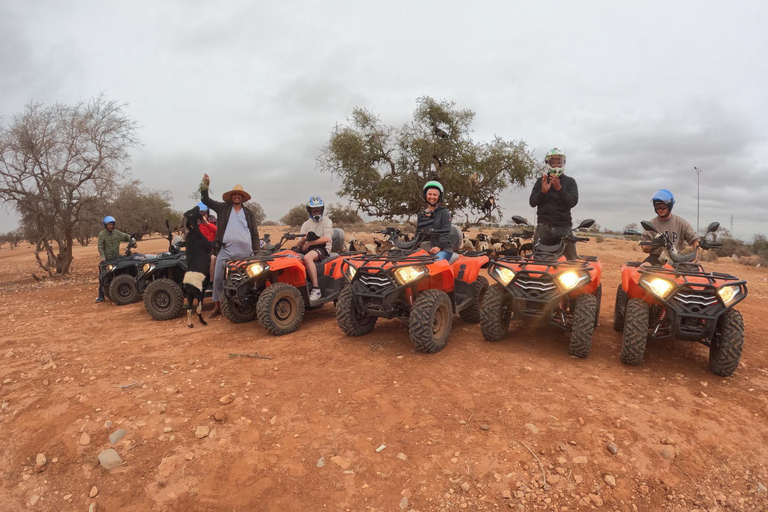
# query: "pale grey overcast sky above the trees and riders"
{"points": [[635, 93]]}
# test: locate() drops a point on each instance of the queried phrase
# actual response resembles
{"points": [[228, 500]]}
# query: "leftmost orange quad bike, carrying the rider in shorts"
{"points": [[274, 287]]}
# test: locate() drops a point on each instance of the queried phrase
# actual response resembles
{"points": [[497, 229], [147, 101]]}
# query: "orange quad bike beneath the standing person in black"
{"points": [[546, 288]]}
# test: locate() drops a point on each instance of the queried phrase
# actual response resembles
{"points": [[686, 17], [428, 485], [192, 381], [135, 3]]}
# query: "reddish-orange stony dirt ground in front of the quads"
{"points": [[303, 428]]}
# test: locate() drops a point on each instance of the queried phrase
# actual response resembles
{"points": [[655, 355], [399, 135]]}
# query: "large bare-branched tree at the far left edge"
{"points": [[54, 161]]}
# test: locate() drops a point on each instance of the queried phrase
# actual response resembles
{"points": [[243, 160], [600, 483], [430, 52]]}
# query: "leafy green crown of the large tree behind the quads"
{"points": [[382, 169]]}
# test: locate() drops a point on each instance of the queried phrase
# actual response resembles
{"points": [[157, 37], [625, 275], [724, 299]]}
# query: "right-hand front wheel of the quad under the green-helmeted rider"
{"points": [[430, 321]]}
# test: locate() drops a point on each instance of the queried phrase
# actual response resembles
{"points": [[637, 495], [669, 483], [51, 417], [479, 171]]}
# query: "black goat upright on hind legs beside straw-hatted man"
{"points": [[198, 264]]}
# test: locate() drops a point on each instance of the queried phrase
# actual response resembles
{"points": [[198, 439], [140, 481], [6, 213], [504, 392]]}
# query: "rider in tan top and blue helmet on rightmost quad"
{"points": [[677, 229]]}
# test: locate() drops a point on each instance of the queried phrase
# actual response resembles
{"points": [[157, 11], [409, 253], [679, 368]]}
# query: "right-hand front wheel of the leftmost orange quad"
{"points": [[280, 308]]}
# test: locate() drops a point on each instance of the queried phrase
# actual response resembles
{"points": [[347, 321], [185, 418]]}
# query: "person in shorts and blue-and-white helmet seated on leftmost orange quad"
{"points": [[316, 242]]}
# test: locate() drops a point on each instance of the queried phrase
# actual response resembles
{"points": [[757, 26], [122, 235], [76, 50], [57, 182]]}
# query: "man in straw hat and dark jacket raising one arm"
{"points": [[237, 235]]}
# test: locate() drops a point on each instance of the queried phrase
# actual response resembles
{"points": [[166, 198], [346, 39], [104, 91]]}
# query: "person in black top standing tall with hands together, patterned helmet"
{"points": [[554, 195]]}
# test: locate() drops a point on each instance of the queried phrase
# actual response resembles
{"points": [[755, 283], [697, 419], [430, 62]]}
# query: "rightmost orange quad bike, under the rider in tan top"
{"points": [[680, 300]]}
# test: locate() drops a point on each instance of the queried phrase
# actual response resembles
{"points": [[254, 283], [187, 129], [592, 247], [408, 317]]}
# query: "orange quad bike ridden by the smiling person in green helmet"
{"points": [[410, 284]]}
